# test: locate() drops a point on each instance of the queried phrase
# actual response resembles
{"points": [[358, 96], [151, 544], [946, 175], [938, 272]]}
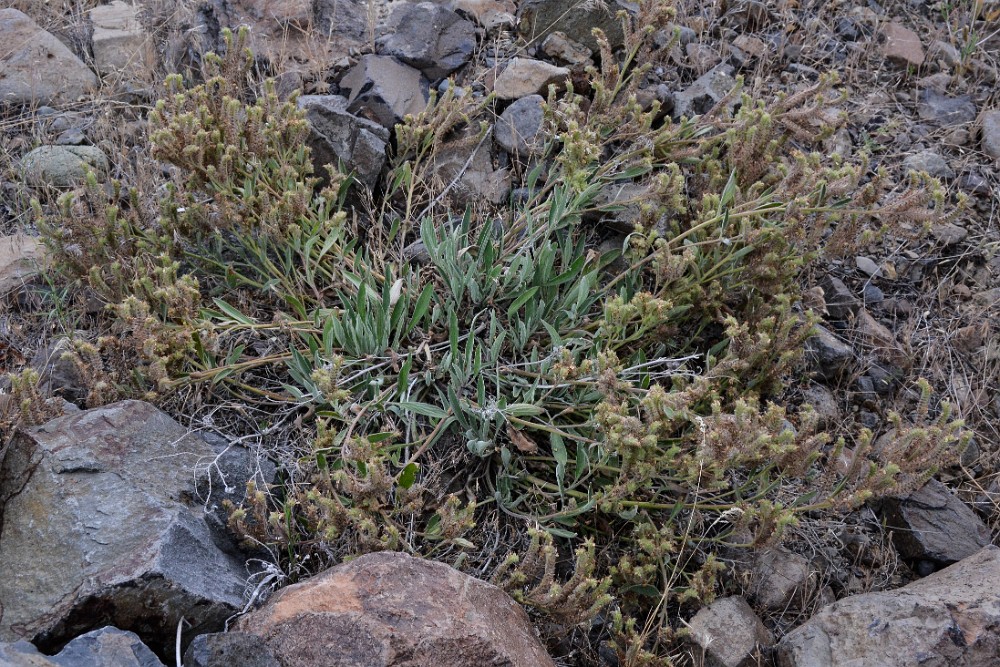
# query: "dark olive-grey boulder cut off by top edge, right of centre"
{"points": [[537, 18]]}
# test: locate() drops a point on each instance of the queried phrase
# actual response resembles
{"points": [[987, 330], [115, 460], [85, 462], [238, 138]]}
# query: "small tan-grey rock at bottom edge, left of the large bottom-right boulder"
{"points": [[729, 633]]}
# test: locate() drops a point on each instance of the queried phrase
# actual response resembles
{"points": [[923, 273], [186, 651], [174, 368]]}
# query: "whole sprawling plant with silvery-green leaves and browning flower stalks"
{"points": [[608, 403]]}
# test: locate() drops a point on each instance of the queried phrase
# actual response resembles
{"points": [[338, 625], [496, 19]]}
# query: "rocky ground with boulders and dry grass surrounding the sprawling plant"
{"points": [[143, 548]]}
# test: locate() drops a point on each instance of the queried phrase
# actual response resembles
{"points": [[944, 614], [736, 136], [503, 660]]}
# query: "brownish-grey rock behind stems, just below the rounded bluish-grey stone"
{"points": [[466, 162]]}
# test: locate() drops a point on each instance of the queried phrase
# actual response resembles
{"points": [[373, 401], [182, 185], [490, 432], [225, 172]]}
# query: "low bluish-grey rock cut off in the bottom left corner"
{"points": [[107, 647]]}
